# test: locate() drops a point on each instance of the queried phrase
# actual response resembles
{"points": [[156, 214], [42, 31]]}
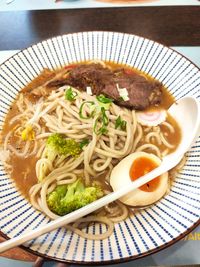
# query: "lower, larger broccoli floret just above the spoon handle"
{"points": [[67, 198]]}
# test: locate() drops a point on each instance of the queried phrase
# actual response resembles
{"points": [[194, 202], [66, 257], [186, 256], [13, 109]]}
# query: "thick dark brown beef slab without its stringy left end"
{"points": [[142, 92]]}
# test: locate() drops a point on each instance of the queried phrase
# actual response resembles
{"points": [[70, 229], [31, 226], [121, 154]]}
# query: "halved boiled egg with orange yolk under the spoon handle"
{"points": [[131, 168]]}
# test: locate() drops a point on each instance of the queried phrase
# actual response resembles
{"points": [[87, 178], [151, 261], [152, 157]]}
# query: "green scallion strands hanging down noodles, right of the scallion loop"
{"points": [[103, 121]]}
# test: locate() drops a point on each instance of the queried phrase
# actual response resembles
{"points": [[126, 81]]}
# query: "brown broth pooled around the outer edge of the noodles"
{"points": [[24, 168]]}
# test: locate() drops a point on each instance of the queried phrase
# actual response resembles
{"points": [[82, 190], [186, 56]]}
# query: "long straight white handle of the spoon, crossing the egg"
{"points": [[16, 241]]}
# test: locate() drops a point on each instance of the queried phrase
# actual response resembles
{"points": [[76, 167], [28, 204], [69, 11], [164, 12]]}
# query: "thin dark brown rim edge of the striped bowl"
{"points": [[129, 258]]}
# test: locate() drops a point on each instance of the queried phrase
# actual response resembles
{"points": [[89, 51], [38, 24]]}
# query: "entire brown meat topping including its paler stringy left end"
{"points": [[128, 88]]}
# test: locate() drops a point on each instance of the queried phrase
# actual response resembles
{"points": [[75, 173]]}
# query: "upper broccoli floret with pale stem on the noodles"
{"points": [[58, 146]]}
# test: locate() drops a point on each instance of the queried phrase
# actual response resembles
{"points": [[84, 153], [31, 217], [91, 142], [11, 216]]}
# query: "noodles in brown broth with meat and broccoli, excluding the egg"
{"points": [[65, 133]]}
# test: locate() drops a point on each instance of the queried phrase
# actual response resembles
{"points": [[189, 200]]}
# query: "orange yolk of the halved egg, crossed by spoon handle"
{"points": [[140, 167]]}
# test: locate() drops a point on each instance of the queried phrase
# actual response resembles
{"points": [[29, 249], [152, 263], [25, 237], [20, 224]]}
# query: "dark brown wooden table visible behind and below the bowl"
{"points": [[171, 26]]}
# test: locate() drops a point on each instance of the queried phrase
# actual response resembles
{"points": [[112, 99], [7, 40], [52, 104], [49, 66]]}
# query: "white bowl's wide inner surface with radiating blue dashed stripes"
{"points": [[146, 231]]}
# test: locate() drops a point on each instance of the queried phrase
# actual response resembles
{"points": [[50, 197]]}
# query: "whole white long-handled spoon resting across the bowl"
{"points": [[187, 113]]}
